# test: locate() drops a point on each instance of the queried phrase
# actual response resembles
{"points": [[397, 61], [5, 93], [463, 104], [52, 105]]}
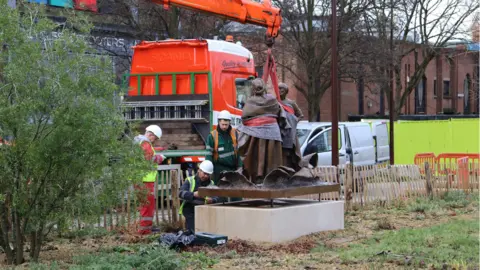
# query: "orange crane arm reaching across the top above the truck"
{"points": [[243, 11]]}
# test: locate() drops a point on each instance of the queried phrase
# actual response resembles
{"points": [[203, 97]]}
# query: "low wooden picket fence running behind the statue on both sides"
{"points": [[361, 186]]}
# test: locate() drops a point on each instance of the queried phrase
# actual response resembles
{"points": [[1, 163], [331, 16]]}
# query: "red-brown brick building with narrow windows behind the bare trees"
{"points": [[457, 93]]}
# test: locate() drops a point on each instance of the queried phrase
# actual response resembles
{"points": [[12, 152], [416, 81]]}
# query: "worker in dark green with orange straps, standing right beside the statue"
{"points": [[222, 146]]}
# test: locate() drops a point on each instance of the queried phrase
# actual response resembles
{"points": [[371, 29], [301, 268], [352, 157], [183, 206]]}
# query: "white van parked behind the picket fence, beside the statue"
{"points": [[359, 143]]}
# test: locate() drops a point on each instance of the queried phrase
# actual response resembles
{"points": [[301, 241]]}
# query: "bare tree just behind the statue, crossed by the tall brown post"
{"points": [[306, 34]]}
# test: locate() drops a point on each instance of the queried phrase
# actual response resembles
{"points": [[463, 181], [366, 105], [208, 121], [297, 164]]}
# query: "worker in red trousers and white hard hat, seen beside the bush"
{"points": [[152, 134]]}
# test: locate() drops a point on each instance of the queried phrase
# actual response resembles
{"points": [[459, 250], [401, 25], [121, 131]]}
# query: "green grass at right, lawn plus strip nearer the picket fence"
{"points": [[452, 244]]}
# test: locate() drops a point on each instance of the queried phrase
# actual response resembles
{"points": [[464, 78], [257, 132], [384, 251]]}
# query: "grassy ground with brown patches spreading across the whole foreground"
{"points": [[419, 233]]}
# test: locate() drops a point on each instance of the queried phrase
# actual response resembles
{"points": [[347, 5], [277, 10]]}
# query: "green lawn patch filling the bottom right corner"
{"points": [[450, 243]]}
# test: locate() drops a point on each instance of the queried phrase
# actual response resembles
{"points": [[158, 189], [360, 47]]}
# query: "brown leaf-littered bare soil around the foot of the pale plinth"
{"points": [[302, 253]]}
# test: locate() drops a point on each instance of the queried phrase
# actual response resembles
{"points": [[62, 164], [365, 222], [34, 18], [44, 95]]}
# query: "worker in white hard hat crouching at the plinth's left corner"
{"points": [[189, 193]]}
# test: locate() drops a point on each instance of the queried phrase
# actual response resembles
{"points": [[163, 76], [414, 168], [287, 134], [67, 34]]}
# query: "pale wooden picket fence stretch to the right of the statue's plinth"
{"points": [[384, 185]]}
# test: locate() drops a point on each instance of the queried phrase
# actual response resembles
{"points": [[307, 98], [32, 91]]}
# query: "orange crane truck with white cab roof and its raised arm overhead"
{"points": [[182, 85]]}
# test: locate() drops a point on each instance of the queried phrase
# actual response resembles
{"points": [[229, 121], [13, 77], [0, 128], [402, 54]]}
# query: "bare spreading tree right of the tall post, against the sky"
{"points": [[420, 27]]}
